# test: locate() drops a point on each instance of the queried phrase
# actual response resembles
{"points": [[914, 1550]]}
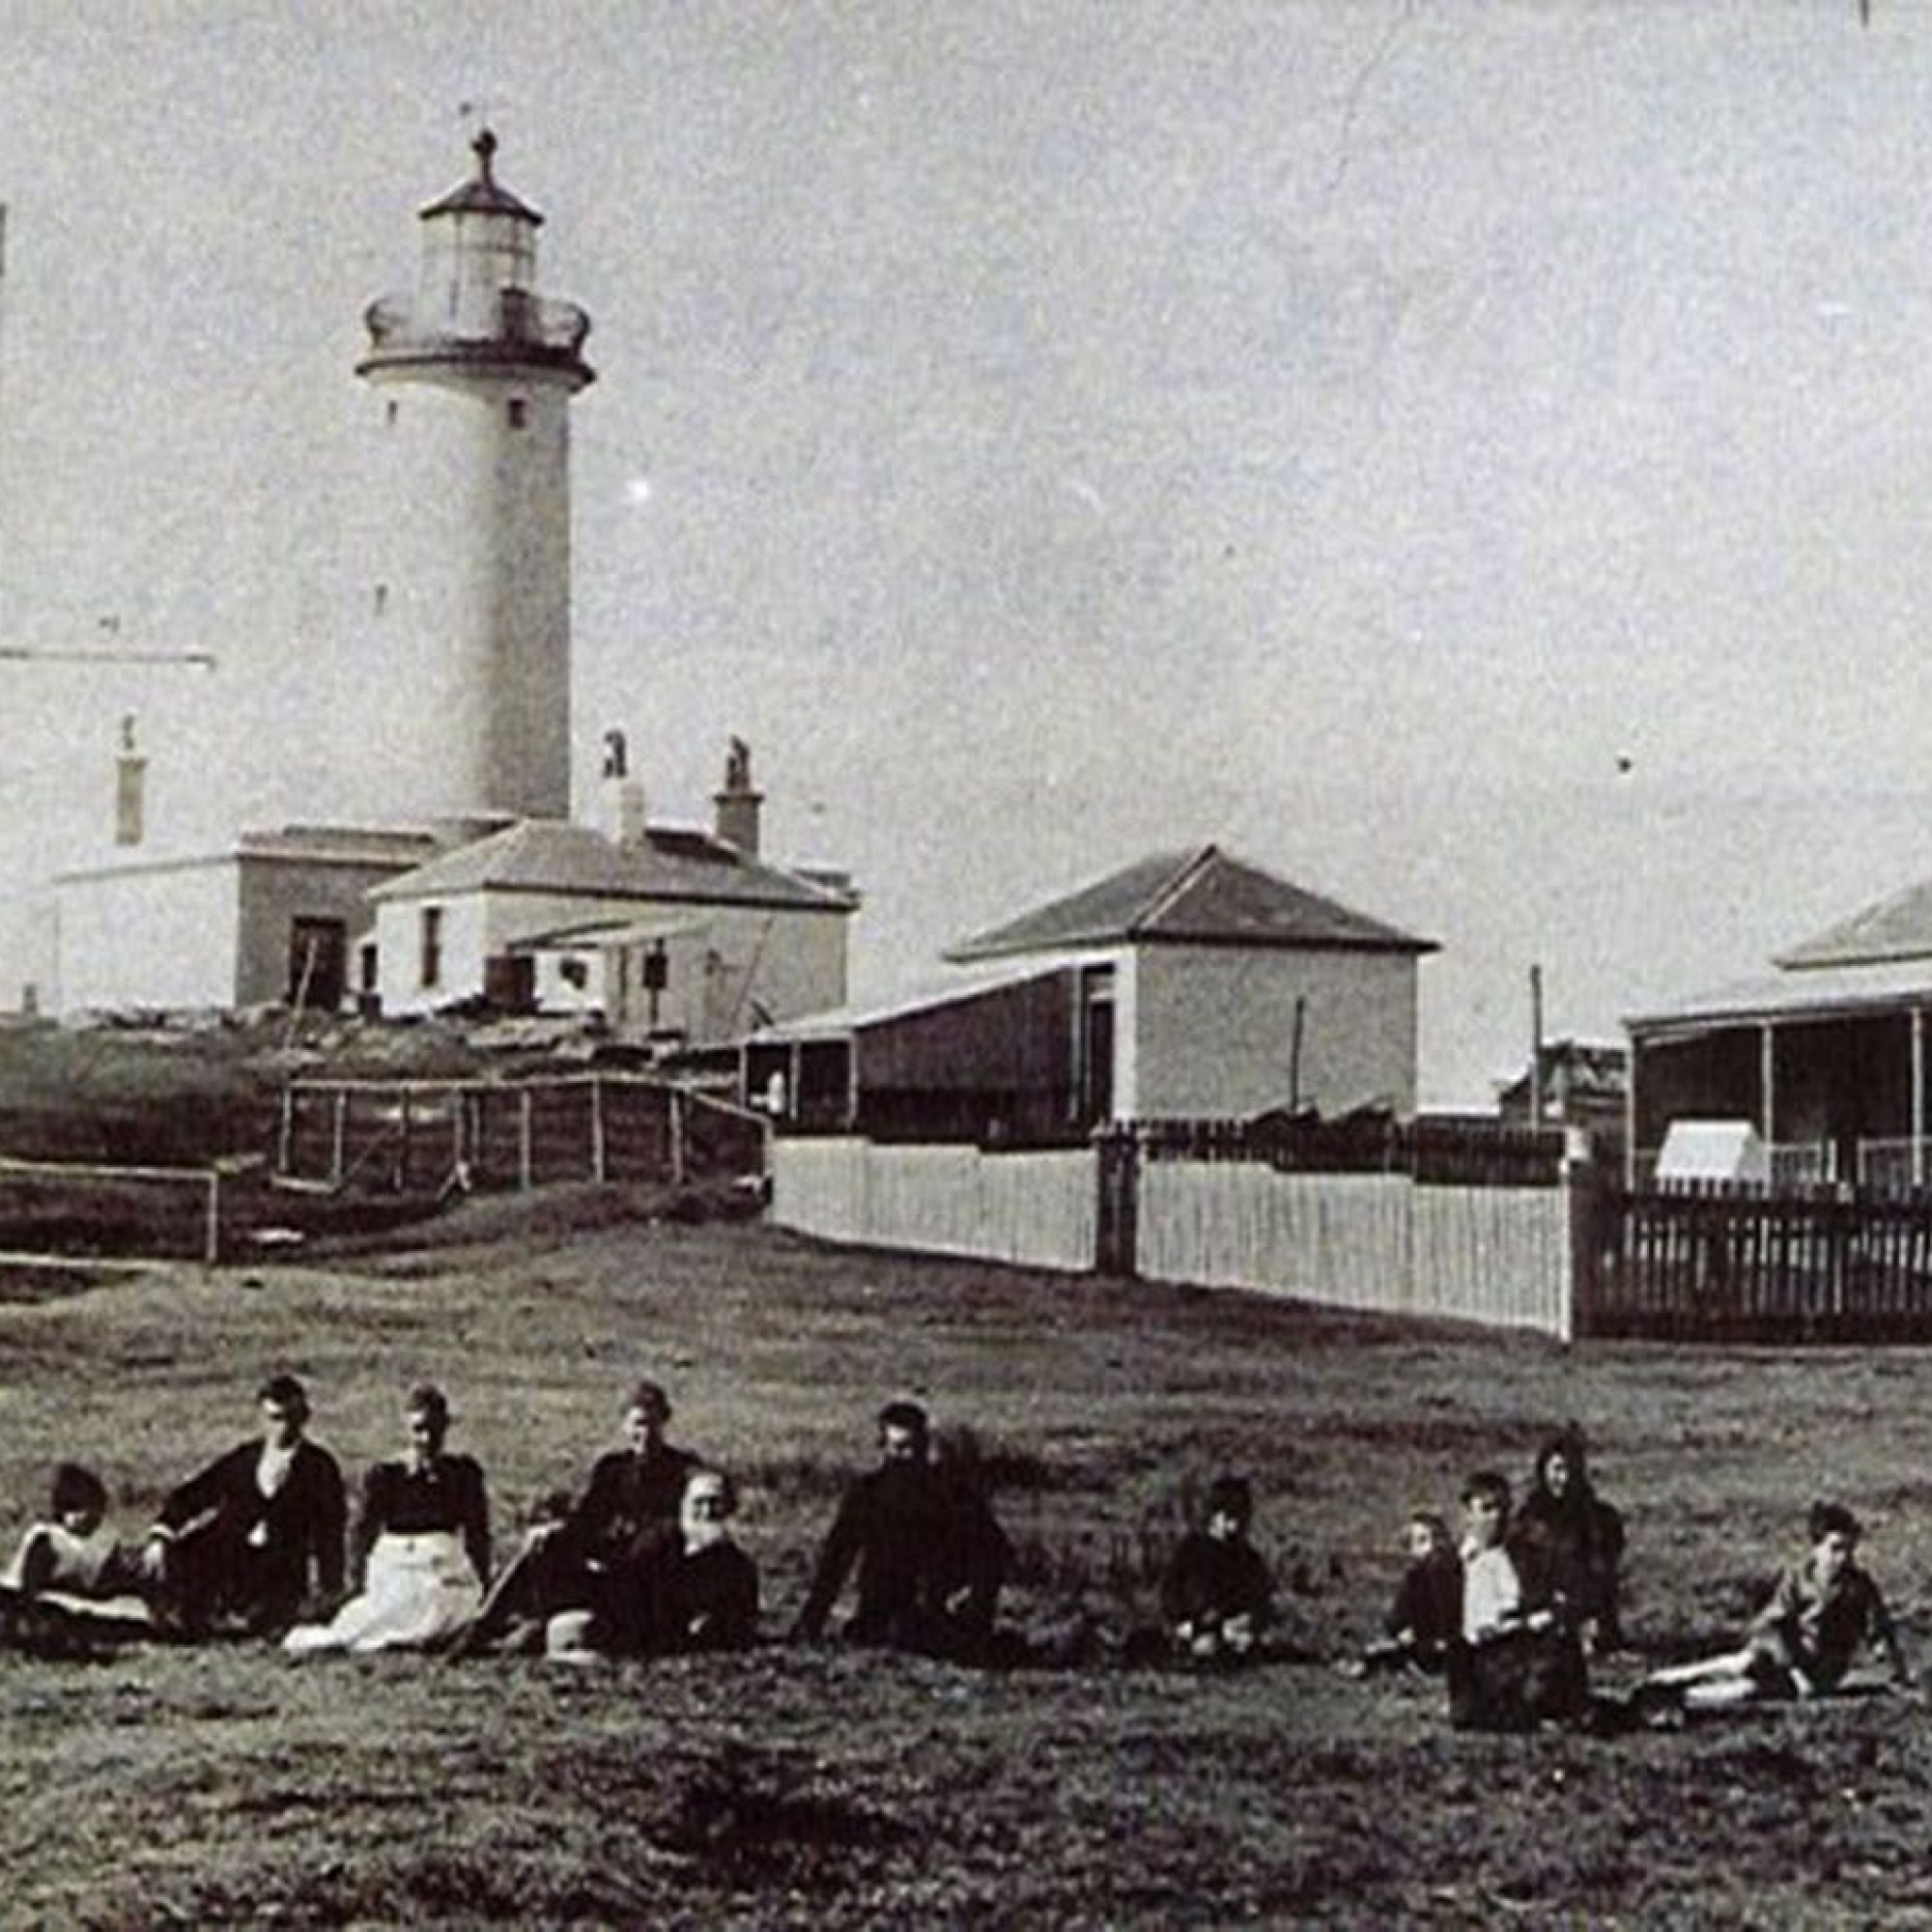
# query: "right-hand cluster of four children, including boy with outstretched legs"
{"points": [[1514, 1616]]}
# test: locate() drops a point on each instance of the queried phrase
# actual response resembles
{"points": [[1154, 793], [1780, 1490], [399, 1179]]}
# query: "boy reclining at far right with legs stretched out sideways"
{"points": [[1807, 1637]]}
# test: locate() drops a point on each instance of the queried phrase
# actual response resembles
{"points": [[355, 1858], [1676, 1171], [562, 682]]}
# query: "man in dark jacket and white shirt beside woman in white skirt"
{"points": [[256, 1541]]}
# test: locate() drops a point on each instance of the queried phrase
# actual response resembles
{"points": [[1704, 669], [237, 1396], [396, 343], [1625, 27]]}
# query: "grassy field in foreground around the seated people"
{"points": [[822, 1788]]}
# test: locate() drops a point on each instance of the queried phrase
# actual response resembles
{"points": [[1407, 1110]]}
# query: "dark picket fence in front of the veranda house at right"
{"points": [[1751, 1266]]}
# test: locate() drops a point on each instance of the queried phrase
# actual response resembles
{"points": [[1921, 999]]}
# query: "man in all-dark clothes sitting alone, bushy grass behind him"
{"points": [[928, 1552]]}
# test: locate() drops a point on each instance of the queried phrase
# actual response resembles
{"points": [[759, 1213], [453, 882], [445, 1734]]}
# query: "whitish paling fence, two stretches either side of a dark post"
{"points": [[1498, 1257]]}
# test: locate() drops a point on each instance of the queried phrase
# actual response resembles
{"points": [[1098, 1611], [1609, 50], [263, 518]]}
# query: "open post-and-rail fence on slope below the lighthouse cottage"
{"points": [[430, 1137]]}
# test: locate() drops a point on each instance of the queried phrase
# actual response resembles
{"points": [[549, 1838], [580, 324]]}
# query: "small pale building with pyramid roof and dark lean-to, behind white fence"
{"points": [[1185, 986]]}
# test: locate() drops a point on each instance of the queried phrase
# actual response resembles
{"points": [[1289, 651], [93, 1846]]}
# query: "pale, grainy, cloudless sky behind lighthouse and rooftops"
{"points": [[1469, 459]]}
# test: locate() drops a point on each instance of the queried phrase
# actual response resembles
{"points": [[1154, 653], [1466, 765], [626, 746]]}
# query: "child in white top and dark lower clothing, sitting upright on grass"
{"points": [[1508, 1670]]}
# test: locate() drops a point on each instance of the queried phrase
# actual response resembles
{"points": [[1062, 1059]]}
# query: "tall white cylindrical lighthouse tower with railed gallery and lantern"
{"points": [[463, 557]]}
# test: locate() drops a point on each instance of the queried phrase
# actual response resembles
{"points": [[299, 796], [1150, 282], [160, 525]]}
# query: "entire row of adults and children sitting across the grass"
{"points": [[644, 1564]]}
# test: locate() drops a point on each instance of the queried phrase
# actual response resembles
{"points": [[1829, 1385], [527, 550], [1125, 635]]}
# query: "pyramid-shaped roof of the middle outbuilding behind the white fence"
{"points": [[1205, 897]]}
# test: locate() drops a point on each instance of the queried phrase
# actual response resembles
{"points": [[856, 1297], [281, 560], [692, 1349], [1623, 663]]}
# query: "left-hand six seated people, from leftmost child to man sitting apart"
{"points": [[640, 1564]]}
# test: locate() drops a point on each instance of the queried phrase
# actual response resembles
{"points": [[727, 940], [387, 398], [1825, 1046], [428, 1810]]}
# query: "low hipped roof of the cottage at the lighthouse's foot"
{"points": [[557, 857]]}
